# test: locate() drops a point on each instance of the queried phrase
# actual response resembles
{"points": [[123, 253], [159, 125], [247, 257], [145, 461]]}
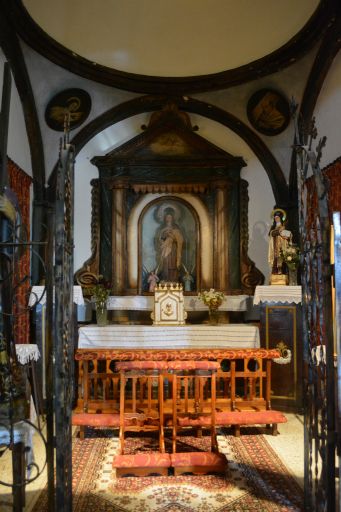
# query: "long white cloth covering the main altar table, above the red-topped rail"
{"points": [[178, 337]]}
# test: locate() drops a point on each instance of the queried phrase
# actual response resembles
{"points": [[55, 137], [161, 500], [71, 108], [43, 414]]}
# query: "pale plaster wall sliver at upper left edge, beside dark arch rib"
{"points": [[17, 147]]}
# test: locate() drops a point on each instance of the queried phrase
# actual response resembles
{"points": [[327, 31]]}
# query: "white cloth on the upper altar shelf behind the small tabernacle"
{"points": [[192, 303]]}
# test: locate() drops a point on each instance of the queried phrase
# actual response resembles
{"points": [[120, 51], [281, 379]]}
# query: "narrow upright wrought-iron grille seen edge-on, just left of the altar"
{"points": [[63, 327]]}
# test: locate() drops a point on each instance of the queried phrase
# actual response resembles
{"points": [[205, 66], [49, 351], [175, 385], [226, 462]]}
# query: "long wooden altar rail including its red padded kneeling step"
{"points": [[243, 380]]}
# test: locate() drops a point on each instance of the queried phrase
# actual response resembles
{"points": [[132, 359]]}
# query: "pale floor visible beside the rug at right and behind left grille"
{"points": [[288, 445]]}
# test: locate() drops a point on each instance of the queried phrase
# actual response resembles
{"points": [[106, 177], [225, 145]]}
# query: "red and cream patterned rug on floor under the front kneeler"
{"points": [[255, 479]]}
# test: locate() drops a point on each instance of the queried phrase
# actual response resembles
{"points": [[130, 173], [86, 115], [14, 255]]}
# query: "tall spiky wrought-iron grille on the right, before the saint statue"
{"points": [[318, 360]]}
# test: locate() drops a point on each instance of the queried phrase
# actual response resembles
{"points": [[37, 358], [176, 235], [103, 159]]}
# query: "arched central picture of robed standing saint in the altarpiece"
{"points": [[169, 244]]}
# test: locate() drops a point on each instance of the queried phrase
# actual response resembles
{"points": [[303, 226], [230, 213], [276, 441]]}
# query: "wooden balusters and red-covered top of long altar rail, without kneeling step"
{"points": [[243, 382]]}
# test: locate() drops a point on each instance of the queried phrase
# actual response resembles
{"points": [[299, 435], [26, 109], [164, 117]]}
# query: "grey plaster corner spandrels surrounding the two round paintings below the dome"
{"points": [[49, 79]]}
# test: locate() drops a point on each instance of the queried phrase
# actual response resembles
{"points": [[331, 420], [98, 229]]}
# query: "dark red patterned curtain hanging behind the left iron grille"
{"points": [[20, 183]]}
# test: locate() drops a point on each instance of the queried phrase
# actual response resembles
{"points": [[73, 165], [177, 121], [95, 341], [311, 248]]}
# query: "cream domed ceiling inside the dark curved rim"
{"points": [[172, 38]]}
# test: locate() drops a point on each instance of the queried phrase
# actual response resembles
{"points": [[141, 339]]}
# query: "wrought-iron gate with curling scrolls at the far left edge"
{"points": [[16, 428]]}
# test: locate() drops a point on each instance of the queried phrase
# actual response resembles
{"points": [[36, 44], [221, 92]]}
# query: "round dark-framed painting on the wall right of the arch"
{"points": [[268, 112]]}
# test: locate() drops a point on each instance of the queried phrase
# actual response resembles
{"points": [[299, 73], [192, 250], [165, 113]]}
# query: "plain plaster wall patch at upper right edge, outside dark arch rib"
{"points": [[328, 113]]}
